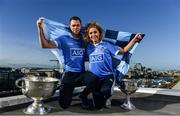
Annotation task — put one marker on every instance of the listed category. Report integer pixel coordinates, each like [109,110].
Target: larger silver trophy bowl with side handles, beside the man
[37,88]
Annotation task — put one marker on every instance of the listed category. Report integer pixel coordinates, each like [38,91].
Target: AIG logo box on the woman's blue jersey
[96,58]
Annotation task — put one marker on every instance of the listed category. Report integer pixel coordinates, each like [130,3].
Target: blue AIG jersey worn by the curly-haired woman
[100,58]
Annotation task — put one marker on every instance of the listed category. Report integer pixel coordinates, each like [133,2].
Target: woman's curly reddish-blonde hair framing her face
[92,25]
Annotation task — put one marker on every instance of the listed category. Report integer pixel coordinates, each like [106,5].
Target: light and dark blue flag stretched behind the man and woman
[53,29]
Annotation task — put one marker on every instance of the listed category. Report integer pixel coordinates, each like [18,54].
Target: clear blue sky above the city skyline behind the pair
[158,19]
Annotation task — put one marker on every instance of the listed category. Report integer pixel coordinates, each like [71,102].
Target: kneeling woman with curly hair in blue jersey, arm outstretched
[100,55]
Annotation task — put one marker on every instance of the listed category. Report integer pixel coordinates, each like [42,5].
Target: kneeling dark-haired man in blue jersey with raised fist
[73,52]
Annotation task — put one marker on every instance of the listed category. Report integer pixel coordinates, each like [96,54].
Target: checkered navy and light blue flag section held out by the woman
[121,62]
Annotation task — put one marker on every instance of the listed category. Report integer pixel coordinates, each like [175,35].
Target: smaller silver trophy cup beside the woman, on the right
[128,86]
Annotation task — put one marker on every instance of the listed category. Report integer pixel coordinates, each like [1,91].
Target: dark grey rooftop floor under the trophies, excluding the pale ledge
[146,104]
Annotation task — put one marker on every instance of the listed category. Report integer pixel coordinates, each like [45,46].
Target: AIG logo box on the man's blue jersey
[76,52]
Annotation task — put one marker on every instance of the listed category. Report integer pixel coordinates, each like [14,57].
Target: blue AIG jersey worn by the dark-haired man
[73,52]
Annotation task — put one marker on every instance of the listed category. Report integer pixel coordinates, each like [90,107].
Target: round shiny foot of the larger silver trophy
[37,110]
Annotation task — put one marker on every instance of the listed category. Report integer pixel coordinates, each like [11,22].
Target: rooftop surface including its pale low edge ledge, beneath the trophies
[148,101]
